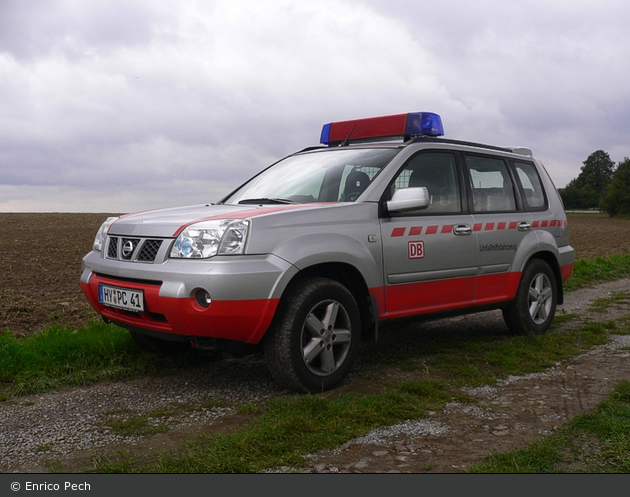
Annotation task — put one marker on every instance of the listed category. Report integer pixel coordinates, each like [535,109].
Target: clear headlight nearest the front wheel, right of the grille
[208,238]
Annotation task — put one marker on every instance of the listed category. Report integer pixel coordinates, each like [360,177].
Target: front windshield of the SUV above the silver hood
[332,175]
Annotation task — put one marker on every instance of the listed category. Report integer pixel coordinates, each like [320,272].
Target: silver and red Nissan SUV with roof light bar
[385,220]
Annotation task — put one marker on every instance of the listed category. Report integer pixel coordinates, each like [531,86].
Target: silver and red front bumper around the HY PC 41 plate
[245,291]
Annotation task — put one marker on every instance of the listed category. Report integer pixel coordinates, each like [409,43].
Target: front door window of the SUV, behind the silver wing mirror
[437,171]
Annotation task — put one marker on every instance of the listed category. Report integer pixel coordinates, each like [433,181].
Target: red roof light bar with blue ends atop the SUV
[382,128]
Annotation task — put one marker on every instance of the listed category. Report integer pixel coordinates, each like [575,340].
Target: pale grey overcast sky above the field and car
[128,105]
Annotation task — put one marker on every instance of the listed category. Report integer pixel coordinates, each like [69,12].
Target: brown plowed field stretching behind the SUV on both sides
[40,263]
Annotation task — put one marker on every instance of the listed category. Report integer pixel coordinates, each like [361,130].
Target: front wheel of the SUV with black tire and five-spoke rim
[315,336]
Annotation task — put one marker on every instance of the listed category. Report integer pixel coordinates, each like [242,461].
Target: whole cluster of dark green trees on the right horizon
[601,184]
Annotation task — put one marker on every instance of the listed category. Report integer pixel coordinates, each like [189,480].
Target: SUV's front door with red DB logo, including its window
[430,255]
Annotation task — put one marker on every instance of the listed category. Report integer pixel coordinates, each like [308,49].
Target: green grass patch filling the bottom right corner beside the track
[597,442]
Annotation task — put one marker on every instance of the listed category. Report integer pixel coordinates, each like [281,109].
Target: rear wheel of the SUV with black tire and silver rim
[534,307]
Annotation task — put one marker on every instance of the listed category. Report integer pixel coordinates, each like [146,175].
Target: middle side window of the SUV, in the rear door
[491,185]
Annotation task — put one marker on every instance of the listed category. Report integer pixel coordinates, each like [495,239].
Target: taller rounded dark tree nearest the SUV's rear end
[586,191]
